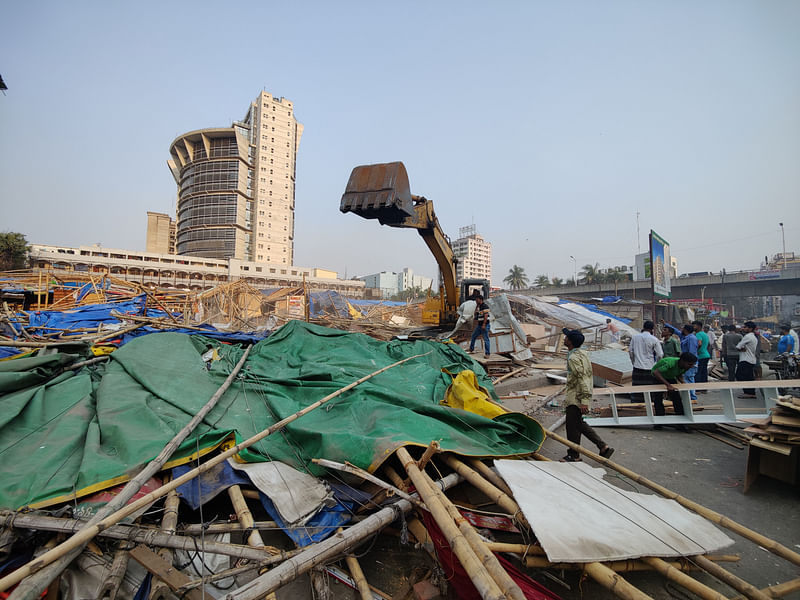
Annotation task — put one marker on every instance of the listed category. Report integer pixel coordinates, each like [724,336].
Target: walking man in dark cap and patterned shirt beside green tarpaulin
[579,395]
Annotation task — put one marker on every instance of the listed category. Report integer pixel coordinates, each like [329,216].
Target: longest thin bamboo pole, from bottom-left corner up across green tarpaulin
[92,529]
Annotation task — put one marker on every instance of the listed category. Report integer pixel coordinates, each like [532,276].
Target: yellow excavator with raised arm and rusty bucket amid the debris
[382,192]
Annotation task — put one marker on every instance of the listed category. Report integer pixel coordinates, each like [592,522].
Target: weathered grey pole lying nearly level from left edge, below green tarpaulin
[142,535]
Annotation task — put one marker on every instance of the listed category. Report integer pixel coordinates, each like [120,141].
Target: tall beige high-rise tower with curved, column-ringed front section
[236,185]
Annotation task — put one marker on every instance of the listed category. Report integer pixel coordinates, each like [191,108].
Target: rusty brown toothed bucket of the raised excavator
[379,192]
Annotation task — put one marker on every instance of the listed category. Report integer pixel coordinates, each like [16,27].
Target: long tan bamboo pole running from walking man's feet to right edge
[713,516]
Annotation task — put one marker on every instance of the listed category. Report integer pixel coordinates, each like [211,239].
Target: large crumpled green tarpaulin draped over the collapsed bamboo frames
[76,432]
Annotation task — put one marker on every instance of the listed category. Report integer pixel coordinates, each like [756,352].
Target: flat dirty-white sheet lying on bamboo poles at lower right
[579,517]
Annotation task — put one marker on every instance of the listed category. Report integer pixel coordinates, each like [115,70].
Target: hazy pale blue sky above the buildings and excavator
[557,128]
